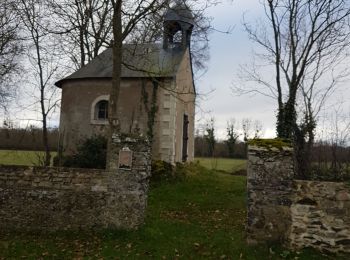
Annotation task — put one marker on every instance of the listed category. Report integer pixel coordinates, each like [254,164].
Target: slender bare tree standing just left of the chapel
[42,58]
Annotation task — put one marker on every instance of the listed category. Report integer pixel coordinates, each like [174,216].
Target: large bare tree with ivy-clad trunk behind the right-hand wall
[305,42]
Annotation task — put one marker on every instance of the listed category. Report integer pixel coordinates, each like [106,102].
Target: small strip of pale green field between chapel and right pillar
[223,164]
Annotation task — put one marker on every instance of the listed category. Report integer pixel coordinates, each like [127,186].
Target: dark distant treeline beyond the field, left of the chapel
[27,139]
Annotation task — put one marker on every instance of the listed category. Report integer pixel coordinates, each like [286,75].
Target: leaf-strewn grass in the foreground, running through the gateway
[200,216]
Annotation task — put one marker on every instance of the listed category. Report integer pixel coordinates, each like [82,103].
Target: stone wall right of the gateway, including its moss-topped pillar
[297,213]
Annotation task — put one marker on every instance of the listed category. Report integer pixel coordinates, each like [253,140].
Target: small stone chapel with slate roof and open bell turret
[155,77]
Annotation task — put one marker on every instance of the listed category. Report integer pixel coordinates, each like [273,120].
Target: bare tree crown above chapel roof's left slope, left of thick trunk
[85,27]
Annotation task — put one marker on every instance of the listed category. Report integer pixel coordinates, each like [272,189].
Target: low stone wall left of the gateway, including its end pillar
[48,199]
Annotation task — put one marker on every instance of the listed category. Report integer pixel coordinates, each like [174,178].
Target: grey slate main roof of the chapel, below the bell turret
[139,61]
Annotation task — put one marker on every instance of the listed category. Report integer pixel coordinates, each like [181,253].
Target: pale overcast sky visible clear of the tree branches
[227,52]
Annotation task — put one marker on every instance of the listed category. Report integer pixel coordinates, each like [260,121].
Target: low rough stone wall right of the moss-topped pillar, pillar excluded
[320,216]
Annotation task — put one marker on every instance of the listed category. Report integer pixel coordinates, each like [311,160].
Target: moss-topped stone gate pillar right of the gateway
[269,185]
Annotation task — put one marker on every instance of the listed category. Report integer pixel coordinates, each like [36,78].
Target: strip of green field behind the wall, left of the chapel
[12,157]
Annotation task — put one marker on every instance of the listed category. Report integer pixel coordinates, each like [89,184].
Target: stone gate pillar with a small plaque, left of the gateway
[129,171]
